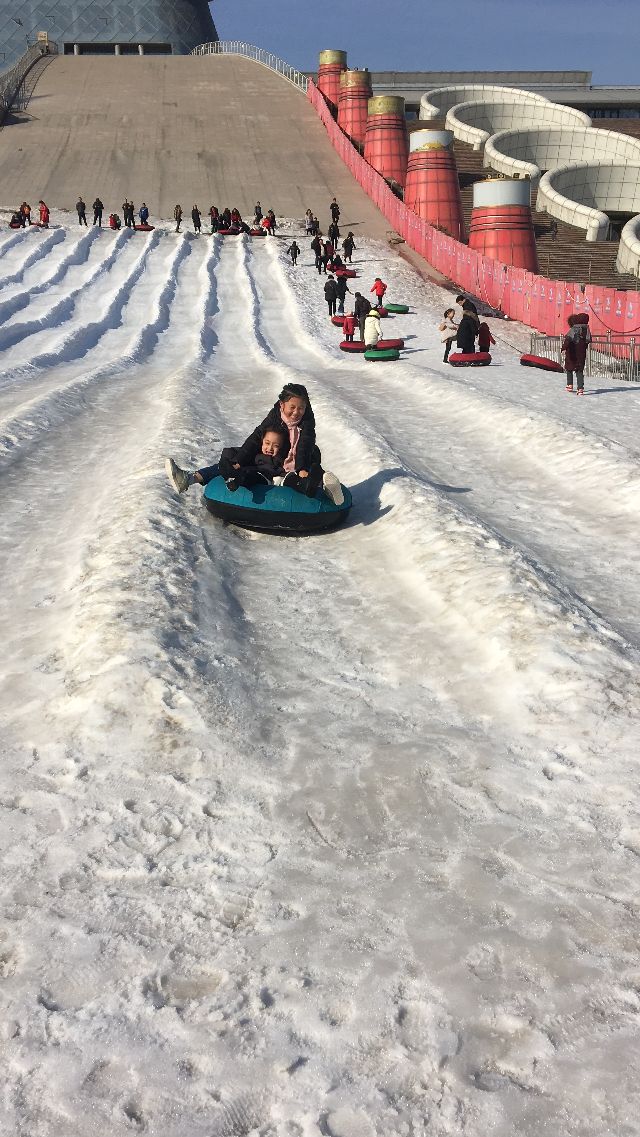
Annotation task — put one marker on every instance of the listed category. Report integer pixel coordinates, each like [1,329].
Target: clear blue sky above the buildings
[438,36]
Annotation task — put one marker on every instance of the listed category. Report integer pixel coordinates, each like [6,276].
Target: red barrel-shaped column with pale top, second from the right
[433,190]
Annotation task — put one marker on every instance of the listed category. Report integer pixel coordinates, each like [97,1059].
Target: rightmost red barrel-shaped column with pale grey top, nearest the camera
[502,227]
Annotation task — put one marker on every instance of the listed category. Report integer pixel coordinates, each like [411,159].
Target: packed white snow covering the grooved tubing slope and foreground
[328,836]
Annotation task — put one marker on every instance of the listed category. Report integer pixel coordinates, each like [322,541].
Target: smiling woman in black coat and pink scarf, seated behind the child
[303,470]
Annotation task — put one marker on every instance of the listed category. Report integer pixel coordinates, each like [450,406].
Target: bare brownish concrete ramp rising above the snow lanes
[218,130]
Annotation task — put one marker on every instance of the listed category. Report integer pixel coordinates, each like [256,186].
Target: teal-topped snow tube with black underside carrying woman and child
[276,509]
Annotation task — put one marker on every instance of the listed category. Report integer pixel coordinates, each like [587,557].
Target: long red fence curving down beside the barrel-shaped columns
[542,304]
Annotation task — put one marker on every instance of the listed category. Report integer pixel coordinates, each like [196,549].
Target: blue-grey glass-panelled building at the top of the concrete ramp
[105,27]
